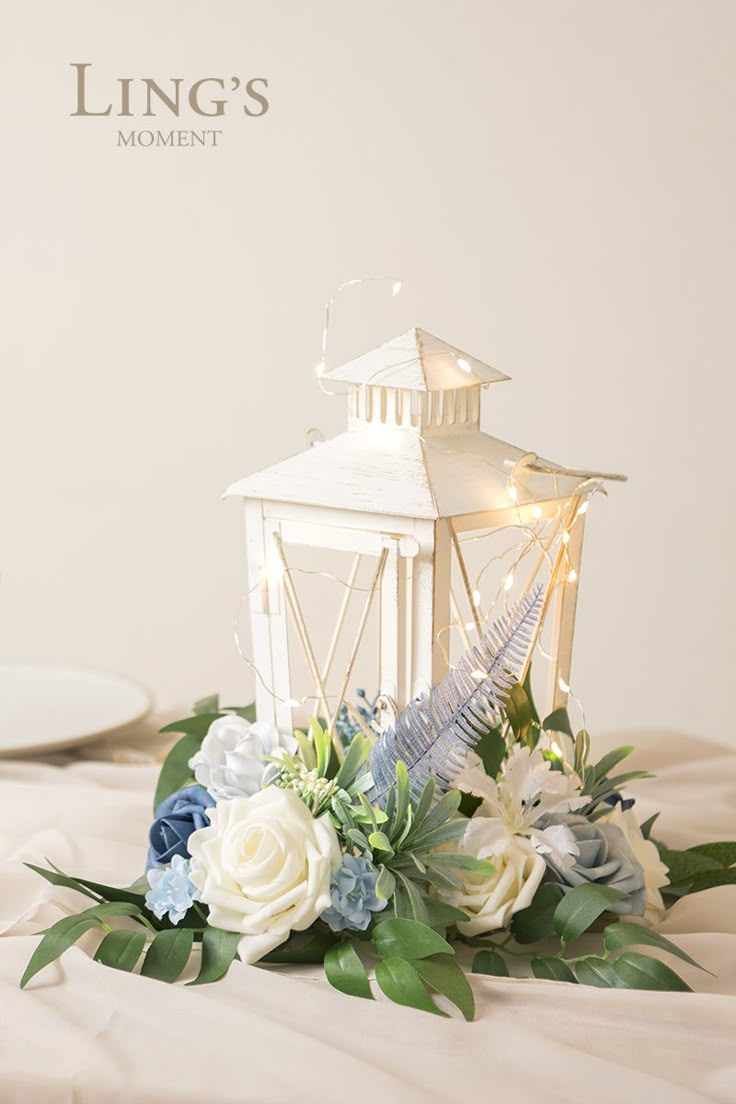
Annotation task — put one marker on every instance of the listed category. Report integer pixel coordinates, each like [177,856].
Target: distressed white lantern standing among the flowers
[413,493]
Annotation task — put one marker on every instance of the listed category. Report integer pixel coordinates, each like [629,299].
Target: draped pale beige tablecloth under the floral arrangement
[82,1033]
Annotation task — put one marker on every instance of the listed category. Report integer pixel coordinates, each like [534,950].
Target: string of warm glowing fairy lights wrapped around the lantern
[550,536]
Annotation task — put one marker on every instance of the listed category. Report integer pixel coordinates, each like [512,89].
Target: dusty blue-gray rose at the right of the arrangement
[605,858]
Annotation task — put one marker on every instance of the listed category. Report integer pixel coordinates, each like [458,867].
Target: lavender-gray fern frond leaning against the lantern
[436,731]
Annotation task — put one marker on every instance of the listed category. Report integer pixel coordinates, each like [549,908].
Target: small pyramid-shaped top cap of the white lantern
[417,362]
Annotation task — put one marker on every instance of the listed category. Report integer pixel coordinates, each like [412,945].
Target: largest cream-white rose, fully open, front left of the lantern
[264,868]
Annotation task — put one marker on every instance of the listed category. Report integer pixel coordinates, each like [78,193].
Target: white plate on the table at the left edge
[46,708]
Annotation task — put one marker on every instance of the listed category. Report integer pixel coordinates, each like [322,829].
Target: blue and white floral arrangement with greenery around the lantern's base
[468,832]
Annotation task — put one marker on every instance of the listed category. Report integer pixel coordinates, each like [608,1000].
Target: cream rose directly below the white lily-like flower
[490,900]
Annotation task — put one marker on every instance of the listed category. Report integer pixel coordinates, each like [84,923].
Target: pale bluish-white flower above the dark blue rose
[230,763]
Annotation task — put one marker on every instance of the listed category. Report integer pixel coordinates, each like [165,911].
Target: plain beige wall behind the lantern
[554,182]
